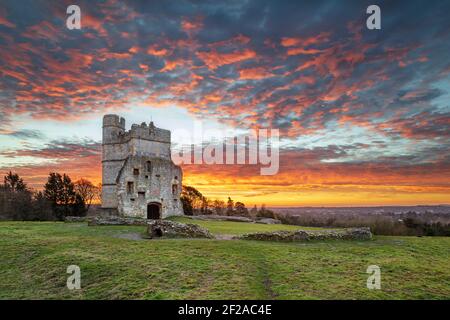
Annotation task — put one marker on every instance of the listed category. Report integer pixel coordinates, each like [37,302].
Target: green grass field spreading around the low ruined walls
[114,265]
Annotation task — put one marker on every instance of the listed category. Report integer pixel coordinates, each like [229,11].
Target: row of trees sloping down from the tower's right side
[195,203]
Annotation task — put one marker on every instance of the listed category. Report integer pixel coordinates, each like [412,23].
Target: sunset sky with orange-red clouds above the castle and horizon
[364,115]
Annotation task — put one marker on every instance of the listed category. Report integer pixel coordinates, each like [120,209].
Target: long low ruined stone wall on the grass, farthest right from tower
[308,235]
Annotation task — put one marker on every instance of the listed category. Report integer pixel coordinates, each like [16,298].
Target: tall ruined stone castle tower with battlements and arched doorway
[138,176]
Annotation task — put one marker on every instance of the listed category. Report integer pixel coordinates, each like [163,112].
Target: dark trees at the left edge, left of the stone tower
[60,198]
